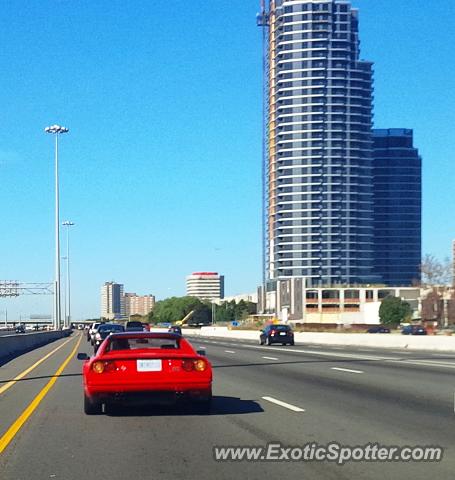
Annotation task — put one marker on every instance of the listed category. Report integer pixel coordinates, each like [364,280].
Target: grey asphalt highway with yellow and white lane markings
[291,395]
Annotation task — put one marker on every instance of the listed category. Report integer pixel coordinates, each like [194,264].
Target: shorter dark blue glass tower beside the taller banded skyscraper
[397,178]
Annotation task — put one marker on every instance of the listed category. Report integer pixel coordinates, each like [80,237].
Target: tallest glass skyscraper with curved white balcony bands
[318,189]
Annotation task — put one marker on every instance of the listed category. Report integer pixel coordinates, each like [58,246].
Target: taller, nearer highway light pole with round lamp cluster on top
[57,130]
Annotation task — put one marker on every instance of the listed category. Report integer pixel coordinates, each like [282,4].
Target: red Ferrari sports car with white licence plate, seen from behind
[145,367]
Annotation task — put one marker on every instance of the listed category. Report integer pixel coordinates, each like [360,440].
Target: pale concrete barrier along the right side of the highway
[379,340]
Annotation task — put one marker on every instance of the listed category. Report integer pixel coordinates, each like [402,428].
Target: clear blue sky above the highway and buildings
[161,168]
